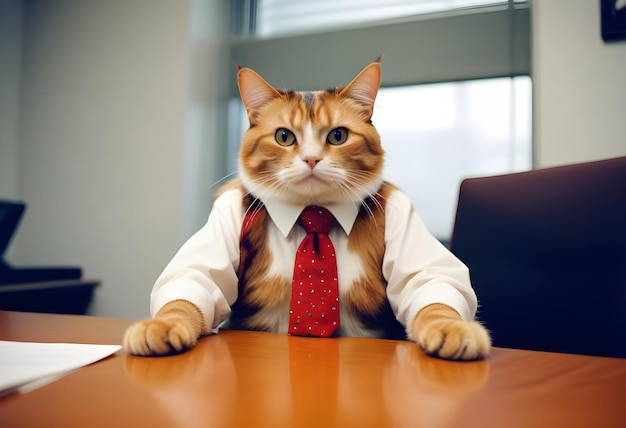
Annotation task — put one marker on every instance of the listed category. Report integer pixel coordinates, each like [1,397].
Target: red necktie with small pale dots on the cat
[314,307]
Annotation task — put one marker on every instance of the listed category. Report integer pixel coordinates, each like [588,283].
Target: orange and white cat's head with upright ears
[311,147]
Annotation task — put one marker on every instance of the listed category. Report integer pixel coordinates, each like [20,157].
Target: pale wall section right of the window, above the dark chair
[579,84]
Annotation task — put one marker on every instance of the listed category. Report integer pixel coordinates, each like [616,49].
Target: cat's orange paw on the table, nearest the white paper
[160,337]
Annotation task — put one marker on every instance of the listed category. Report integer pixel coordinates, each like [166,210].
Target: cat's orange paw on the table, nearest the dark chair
[441,333]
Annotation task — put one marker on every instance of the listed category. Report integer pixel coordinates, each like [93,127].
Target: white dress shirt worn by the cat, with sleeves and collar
[418,269]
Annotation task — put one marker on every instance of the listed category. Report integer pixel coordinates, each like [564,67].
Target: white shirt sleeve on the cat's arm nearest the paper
[204,270]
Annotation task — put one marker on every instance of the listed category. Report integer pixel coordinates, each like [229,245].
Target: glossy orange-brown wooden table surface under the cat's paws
[250,379]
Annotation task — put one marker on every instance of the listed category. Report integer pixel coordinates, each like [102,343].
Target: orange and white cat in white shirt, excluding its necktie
[313,148]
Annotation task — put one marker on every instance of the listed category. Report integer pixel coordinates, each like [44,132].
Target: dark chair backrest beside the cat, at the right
[547,256]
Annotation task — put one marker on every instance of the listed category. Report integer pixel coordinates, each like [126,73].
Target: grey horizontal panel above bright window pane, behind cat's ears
[471,43]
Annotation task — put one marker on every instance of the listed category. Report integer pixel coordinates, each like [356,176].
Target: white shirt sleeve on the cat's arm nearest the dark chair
[419,270]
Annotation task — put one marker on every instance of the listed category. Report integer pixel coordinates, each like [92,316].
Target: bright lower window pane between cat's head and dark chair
[436,135]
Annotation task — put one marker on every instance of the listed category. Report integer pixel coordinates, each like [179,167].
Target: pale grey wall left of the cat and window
[110,91]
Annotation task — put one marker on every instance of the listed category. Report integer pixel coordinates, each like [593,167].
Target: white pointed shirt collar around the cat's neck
[285,215]
